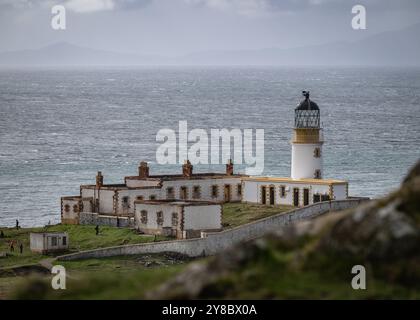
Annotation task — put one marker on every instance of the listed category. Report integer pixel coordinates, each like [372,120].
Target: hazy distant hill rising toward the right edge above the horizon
[397,48]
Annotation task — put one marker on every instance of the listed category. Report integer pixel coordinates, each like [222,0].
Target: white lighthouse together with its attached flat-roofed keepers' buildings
[155,201]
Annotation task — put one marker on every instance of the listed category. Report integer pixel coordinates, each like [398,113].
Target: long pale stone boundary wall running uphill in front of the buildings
[214,242]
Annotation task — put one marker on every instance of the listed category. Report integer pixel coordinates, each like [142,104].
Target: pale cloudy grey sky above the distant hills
[178,27]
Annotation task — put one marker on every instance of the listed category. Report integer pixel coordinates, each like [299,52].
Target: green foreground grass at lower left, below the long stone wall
[107,278]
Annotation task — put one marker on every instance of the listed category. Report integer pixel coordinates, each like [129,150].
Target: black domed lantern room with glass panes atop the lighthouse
[307,114]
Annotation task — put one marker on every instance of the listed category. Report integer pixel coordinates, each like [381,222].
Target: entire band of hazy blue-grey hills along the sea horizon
[393,48]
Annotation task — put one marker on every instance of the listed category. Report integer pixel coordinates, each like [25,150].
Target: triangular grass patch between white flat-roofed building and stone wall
[236,214]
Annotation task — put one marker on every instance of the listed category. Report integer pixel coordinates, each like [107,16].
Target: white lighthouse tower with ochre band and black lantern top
[307,141]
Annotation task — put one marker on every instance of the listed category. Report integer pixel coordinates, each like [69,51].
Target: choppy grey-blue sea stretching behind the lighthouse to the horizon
[58,127]
